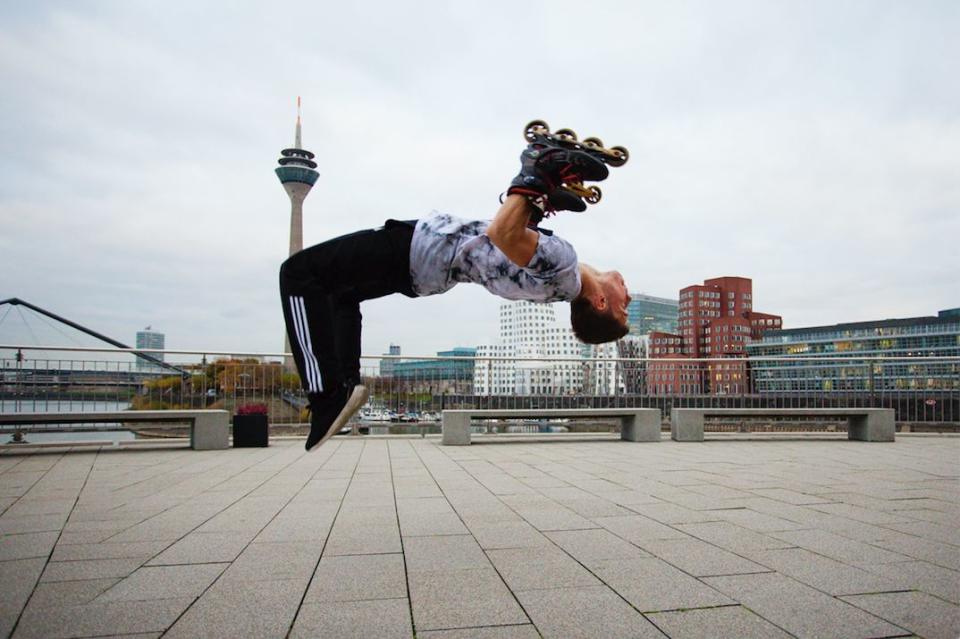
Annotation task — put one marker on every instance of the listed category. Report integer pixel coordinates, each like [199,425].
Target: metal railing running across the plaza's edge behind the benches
[410,391]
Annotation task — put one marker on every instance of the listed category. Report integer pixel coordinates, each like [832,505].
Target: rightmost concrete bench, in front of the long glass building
[864,424]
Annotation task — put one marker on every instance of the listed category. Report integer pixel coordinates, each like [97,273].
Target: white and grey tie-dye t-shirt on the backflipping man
[446,250]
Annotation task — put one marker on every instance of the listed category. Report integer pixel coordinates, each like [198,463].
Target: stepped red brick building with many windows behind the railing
[716,321]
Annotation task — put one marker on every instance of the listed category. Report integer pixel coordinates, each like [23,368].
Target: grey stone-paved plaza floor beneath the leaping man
[510,537]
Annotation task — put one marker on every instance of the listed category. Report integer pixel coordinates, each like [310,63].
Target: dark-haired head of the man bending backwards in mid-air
[599,314]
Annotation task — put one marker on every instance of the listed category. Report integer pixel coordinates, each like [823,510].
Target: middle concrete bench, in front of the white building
[637,424]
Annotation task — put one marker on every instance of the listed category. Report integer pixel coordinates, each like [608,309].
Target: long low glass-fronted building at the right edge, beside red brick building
[844,357]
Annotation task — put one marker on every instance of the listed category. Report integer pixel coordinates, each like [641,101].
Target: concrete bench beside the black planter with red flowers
[209,429]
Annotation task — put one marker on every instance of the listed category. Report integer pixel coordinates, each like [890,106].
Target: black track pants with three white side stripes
[321,288]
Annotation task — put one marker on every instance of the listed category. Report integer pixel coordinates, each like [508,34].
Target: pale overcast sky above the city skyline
[811,146]
